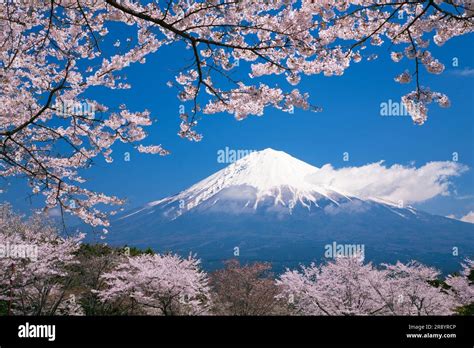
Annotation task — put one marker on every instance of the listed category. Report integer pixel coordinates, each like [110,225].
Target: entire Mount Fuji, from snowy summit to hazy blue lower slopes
[266,207]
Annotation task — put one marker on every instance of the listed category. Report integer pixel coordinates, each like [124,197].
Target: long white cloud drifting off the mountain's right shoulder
[396,183]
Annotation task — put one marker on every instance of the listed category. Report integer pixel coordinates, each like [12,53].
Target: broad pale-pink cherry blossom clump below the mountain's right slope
[347,286]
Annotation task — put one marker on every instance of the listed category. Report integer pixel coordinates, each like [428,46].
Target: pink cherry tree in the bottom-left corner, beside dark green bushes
[35,263]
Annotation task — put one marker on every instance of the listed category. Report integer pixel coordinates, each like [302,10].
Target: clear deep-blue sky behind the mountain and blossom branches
[350,122]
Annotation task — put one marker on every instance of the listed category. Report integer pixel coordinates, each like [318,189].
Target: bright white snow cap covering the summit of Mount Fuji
[270,173]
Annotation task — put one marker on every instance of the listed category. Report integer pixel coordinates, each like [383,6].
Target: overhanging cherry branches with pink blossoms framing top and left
[56,54]
